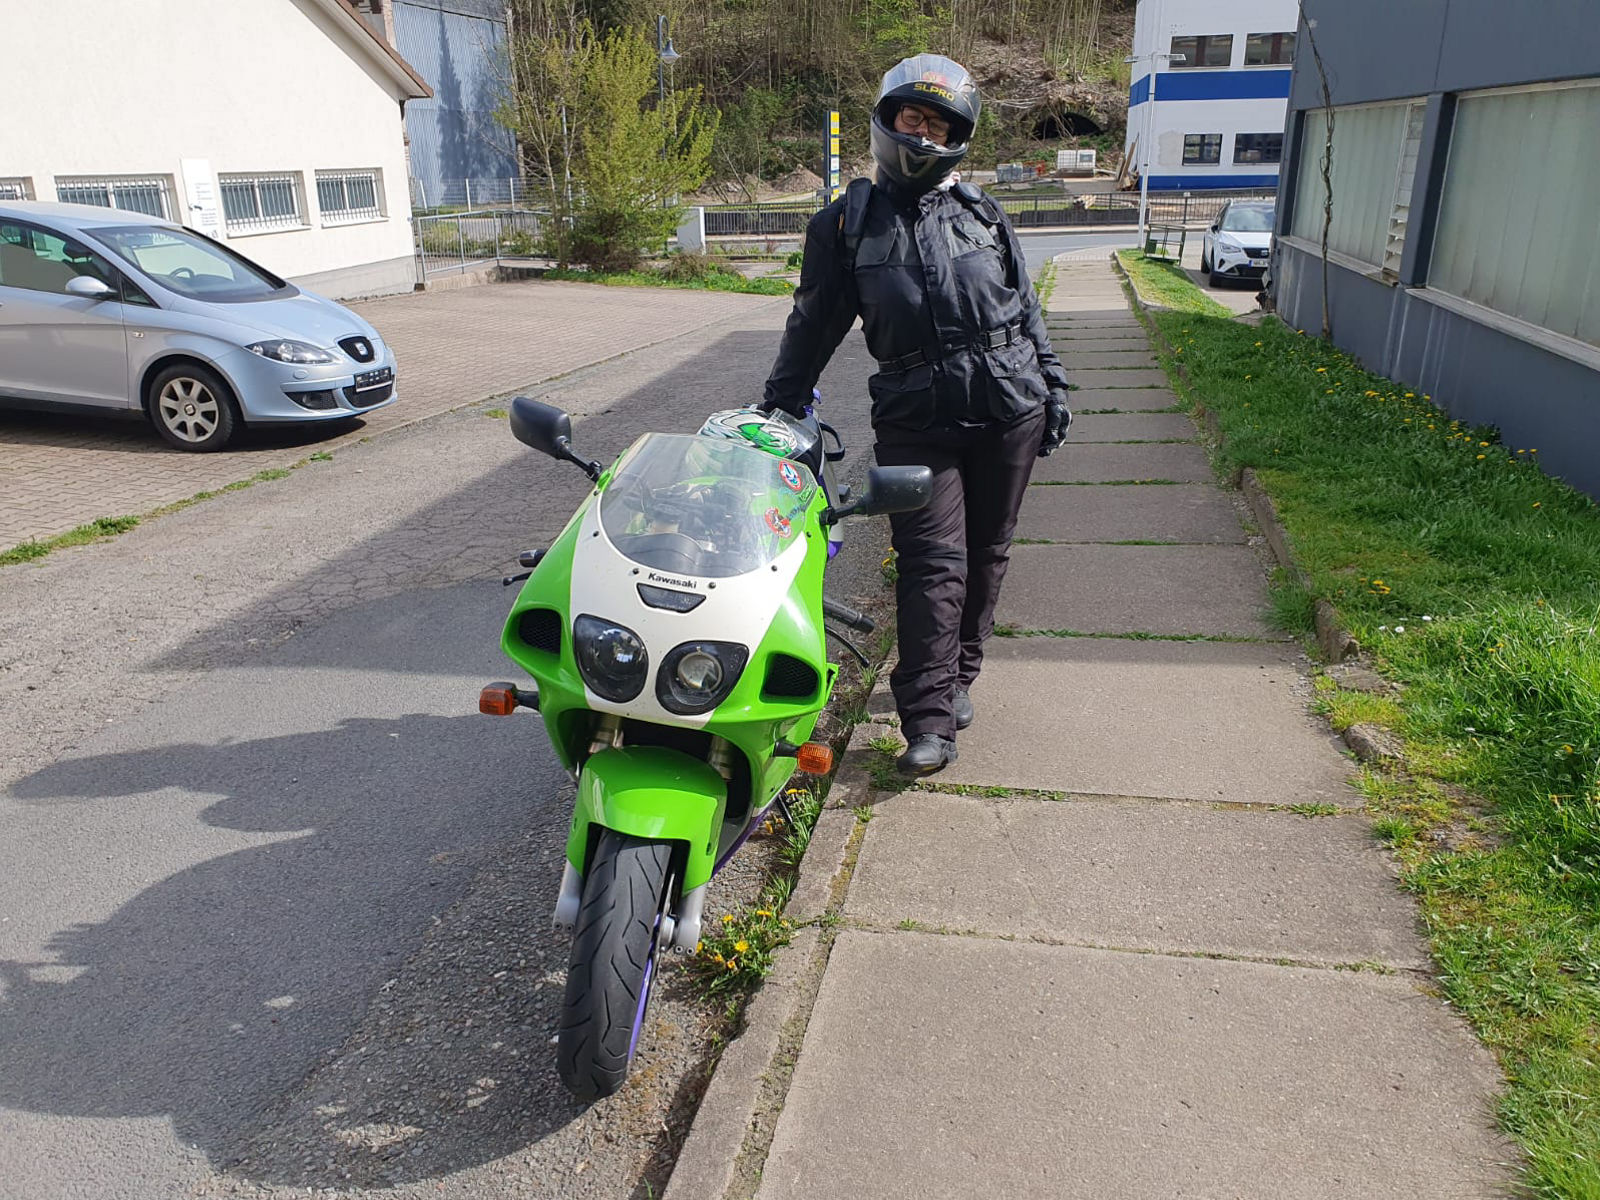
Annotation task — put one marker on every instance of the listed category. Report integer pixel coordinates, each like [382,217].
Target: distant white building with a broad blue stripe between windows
[1217,118]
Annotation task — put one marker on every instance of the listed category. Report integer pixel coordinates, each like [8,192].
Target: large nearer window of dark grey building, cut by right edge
[1530,252]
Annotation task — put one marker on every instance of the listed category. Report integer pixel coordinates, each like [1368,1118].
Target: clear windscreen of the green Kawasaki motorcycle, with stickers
[705,506]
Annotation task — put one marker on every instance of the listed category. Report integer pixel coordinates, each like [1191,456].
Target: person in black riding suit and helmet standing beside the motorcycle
[967,382]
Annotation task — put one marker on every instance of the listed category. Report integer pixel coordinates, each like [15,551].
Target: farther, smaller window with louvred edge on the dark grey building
[1369,156]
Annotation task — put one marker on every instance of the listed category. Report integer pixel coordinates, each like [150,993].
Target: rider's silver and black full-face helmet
[935,82]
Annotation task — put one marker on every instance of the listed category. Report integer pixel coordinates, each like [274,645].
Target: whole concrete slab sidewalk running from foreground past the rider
[1103,956]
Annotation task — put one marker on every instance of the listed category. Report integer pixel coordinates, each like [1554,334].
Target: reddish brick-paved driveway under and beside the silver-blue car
[454,346]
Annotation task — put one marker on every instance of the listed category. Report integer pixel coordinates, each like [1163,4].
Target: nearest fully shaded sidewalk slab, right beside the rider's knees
[1137,590]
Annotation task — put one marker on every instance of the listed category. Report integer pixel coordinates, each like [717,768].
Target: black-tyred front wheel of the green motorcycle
[628,890]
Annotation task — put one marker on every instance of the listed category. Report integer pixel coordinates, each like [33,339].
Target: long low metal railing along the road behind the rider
[1026,212]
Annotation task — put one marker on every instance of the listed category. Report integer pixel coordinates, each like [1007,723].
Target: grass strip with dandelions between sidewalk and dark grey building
[1473,580]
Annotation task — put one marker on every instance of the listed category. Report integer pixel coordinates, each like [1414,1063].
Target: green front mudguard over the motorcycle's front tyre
[654,794]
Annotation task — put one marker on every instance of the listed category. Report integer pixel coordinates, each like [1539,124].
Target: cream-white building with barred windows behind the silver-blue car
[274,126]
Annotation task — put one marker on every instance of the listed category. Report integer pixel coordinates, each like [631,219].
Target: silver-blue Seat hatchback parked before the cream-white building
[126,311]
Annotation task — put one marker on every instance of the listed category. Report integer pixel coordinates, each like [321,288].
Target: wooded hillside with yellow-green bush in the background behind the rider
[615,140]
